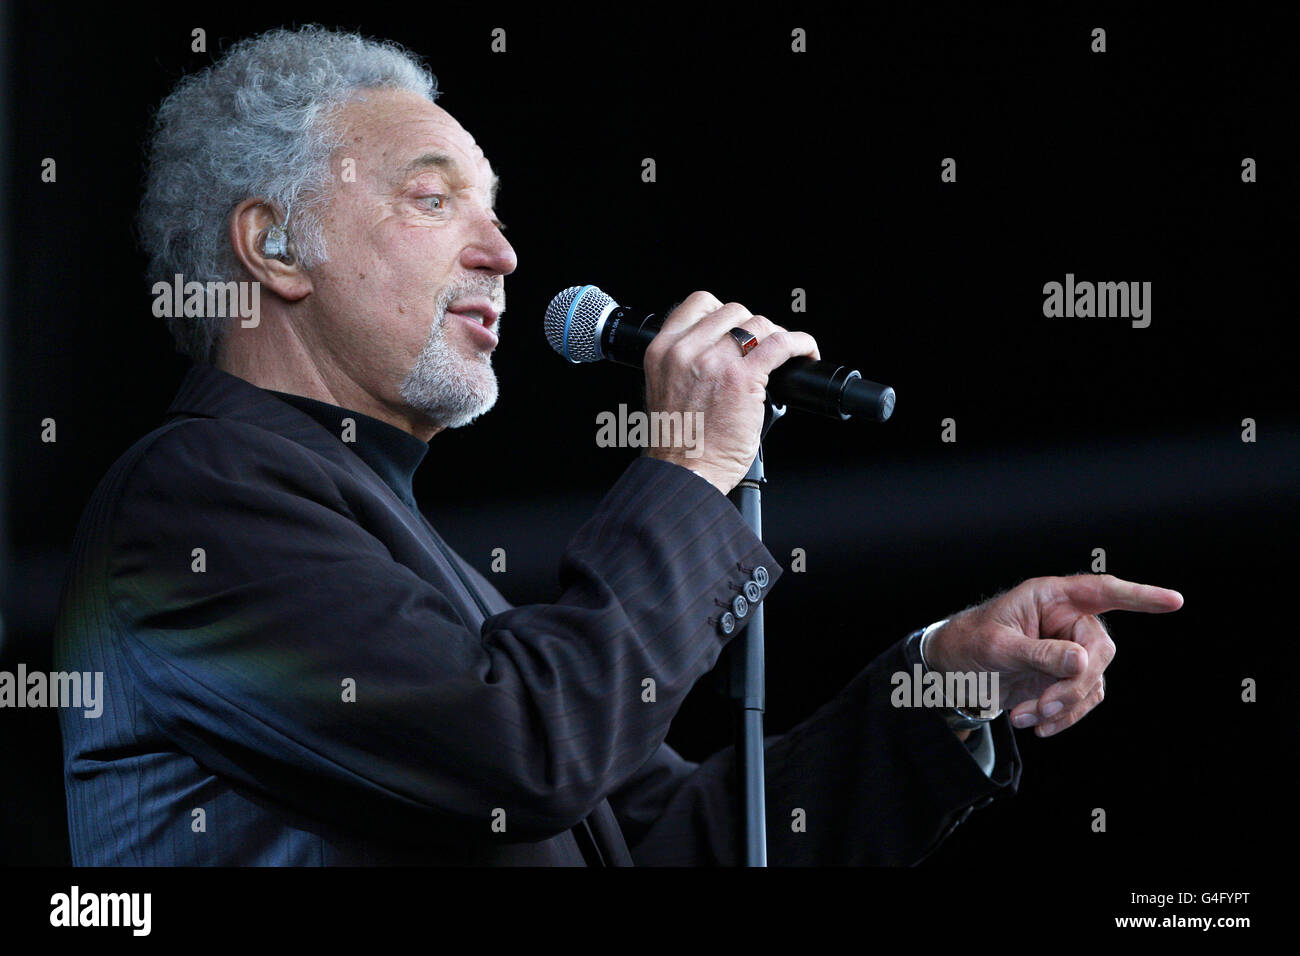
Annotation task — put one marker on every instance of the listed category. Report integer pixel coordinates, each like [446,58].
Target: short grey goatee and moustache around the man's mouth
[450,390]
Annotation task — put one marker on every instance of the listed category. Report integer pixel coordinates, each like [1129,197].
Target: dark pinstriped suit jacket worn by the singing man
[326,682]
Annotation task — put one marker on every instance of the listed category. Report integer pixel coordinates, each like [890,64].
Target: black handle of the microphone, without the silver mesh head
[822,388]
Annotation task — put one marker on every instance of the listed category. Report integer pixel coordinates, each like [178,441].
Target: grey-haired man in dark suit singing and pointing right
[298,671]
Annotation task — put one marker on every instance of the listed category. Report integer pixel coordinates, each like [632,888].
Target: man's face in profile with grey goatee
[413,244]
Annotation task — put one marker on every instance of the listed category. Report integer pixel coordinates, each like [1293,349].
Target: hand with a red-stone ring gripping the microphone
[695,366]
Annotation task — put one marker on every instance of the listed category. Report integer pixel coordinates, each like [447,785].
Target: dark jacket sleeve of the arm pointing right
[857,784]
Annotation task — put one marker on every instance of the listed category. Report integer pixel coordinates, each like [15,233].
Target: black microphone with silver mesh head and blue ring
[584,325]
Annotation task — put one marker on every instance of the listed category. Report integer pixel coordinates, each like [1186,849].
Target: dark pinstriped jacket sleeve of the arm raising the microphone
[307,665]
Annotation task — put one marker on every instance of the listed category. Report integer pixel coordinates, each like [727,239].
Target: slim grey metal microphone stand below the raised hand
[747,685]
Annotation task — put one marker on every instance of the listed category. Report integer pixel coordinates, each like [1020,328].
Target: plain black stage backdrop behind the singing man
[779,170]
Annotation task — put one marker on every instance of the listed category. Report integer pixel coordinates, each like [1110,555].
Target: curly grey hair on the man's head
[255,124]
